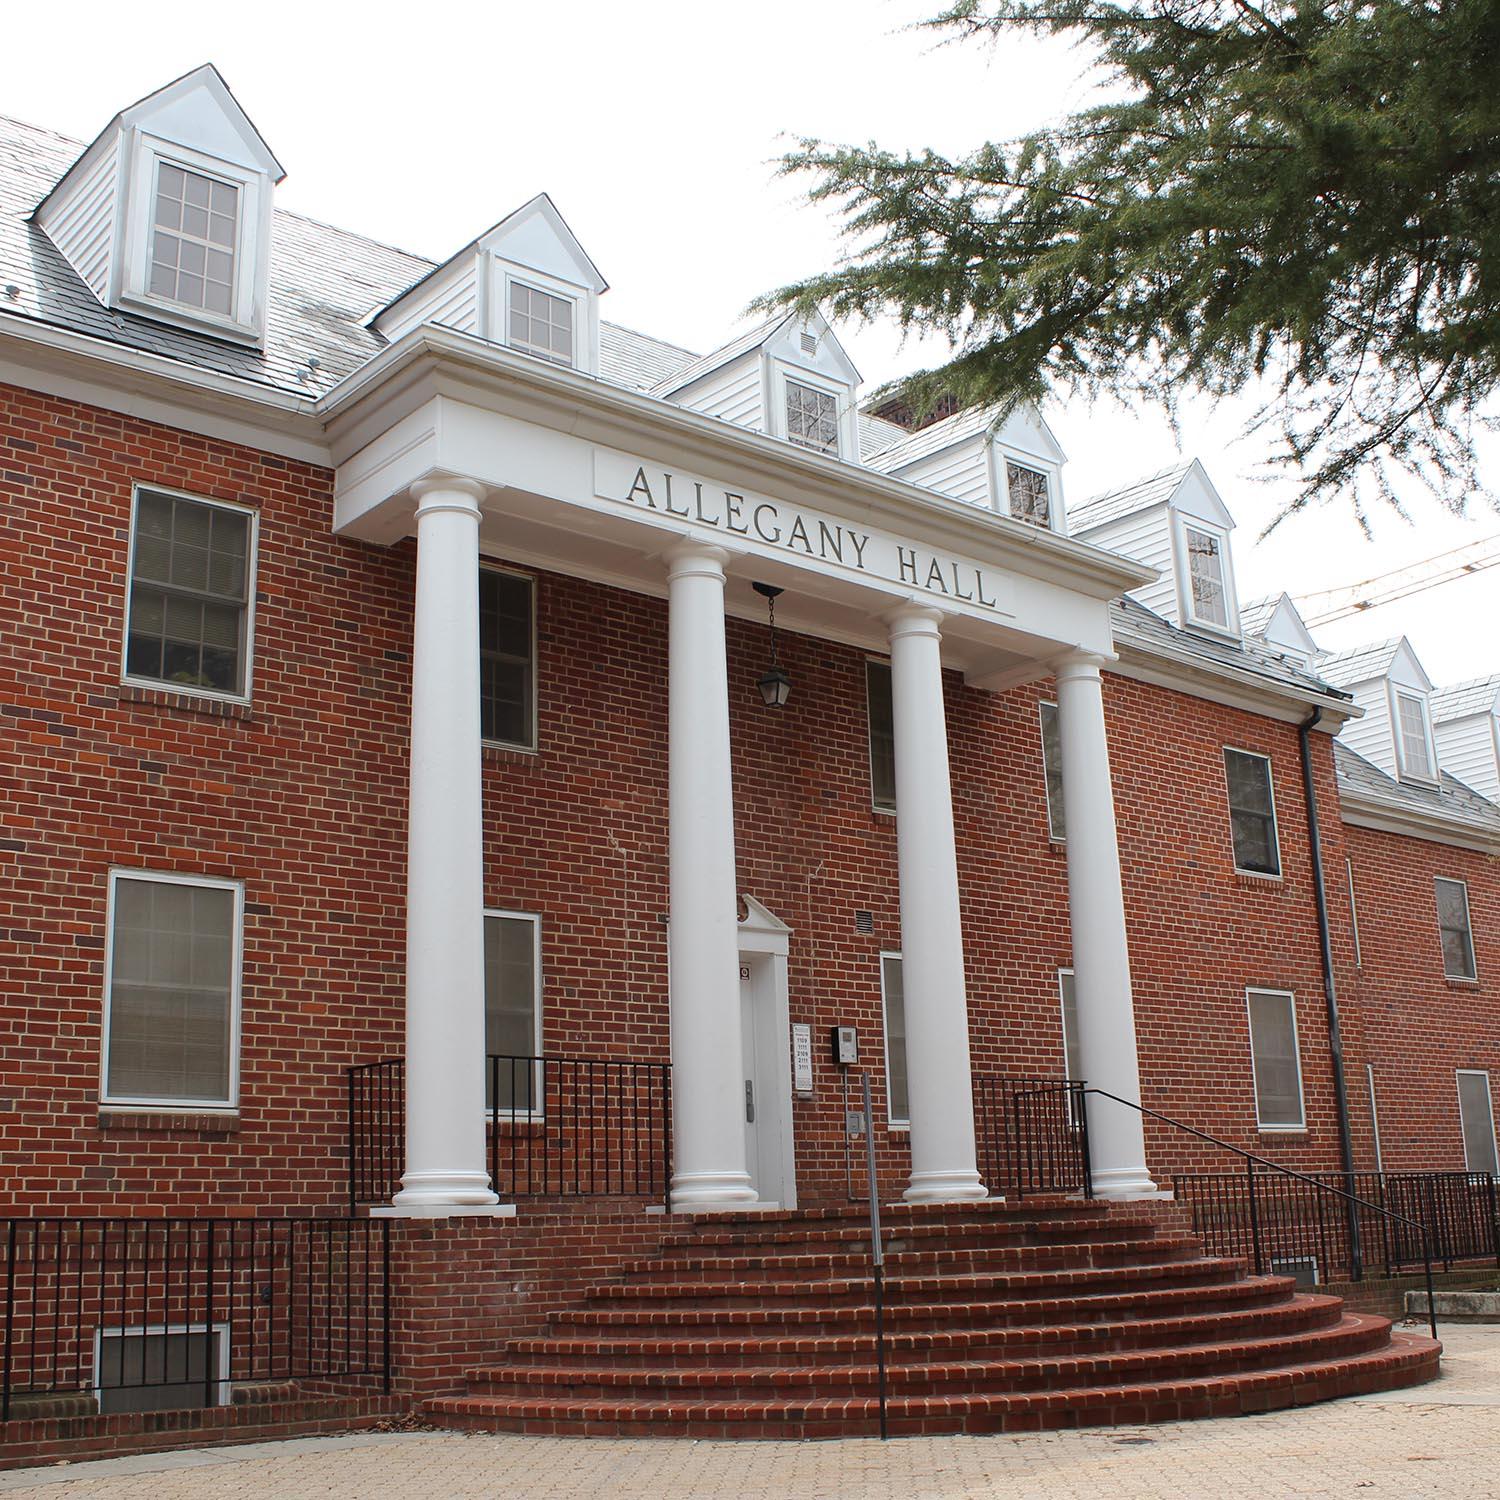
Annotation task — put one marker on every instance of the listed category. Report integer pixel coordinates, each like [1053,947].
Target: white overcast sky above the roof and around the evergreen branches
[655,127]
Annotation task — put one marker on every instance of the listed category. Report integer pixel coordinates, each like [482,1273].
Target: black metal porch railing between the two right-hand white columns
[1033,1135]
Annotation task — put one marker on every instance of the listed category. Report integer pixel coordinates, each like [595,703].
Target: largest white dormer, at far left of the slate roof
[169,212]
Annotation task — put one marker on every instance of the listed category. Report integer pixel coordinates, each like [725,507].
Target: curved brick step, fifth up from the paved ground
[1199,1268]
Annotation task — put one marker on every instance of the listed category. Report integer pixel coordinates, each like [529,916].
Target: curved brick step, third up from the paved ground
[952,1345]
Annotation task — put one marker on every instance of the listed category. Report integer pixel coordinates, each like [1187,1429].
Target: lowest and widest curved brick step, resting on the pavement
[1406,1360]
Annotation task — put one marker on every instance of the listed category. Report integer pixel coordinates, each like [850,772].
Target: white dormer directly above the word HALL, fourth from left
[1012,466]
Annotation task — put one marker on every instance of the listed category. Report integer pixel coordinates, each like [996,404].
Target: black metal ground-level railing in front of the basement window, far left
[116,1309]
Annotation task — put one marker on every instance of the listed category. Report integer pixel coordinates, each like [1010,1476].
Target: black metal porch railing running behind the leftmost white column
[557,1127]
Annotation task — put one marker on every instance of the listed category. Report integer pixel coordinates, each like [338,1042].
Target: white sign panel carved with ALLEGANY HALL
[794,529]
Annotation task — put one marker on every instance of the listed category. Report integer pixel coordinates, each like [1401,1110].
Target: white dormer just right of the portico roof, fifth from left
[1175,523]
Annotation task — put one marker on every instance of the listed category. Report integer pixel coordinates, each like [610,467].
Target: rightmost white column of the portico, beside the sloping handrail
[1100,955]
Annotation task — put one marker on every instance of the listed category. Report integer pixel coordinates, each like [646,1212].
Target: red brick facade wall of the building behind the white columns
[302,797]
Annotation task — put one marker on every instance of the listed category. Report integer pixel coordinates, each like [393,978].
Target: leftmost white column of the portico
[446,1169]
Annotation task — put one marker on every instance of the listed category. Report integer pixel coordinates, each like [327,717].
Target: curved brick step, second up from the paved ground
[1355,1333]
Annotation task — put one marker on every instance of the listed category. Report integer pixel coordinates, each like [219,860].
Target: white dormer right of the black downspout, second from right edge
[1390,685]
